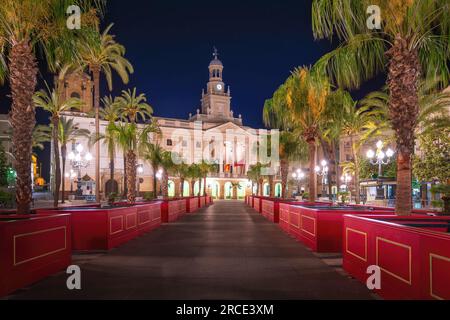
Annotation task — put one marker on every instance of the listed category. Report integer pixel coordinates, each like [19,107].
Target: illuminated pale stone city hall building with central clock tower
[213,133]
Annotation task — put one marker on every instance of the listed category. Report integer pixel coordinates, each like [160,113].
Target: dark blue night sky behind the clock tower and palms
[170,45]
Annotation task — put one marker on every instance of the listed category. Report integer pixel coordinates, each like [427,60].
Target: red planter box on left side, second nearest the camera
[106,228]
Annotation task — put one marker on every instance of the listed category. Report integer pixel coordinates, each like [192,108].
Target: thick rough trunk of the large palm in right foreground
[404,72]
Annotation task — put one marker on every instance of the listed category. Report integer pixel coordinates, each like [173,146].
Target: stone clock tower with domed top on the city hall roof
[216,102]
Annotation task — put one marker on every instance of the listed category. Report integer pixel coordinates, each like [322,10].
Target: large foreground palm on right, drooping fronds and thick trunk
[413,41]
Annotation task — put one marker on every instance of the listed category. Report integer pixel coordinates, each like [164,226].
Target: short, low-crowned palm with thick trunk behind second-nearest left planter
[133,141]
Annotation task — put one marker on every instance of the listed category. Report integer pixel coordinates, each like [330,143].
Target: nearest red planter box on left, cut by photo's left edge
[32,248]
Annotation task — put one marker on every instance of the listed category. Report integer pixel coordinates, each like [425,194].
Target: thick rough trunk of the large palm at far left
[23,71]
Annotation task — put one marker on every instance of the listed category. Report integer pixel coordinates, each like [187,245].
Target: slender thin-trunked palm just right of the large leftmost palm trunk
[51,102]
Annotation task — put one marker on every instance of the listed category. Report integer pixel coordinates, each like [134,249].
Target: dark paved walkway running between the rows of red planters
[225,251]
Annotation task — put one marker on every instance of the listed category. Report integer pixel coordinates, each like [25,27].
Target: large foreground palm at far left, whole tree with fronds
[26,27]
